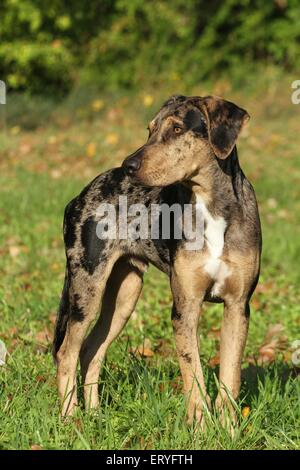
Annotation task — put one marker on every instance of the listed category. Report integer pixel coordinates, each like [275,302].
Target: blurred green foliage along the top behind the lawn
[47,46]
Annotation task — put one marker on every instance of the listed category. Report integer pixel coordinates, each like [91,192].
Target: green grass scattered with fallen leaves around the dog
[41,169]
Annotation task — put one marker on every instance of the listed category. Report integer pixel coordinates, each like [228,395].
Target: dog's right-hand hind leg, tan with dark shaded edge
[122,292]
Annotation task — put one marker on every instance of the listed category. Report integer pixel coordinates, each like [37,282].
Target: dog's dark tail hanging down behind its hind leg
[61,319]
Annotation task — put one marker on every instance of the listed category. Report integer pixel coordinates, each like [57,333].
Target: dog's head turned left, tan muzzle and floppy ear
[186,133]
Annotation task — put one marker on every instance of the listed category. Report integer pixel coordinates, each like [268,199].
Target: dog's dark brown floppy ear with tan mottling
[224,121]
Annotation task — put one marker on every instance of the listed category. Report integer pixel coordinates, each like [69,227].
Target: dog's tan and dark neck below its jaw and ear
[219,182]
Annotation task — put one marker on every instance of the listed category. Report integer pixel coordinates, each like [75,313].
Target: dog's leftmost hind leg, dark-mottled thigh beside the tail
[82,296]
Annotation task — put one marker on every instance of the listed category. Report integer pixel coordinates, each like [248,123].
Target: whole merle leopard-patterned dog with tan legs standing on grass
[190,157]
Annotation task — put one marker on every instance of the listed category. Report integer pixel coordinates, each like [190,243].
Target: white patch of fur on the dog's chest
[214,239]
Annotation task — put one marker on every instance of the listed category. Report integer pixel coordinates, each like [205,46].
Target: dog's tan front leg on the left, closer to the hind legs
[185,317]
